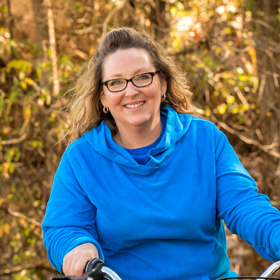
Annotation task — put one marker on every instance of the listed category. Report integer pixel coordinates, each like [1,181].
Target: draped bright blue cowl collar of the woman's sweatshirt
[177,125]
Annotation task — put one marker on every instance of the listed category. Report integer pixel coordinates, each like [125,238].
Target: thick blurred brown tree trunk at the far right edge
[268,66]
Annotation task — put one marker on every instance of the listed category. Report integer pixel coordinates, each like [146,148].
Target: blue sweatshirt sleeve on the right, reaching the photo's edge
[245,212]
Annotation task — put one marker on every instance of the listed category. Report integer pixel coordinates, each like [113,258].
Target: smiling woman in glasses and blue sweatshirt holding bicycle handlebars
[146,185]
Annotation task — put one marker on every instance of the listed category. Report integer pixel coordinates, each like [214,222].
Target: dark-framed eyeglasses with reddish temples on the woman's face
[140,80]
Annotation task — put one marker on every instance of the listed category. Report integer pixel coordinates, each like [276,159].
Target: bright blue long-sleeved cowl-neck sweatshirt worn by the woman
[161,220]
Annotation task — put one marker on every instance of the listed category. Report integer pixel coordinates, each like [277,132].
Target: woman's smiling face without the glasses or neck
[132,106]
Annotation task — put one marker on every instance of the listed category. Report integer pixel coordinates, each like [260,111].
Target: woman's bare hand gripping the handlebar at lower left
[75,261]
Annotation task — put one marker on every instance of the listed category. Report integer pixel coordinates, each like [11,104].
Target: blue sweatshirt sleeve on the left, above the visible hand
[70,216]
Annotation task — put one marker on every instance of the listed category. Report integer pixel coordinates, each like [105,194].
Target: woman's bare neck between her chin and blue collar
[138,137]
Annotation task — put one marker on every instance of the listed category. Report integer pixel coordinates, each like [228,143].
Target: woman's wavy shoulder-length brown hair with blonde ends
[86,109]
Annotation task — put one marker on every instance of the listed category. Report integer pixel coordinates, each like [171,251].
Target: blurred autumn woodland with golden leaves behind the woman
[230,53]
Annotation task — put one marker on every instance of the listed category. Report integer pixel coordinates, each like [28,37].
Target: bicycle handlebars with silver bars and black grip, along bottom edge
[96,269]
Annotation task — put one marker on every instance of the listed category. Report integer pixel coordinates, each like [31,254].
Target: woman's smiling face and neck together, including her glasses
[135,107]
